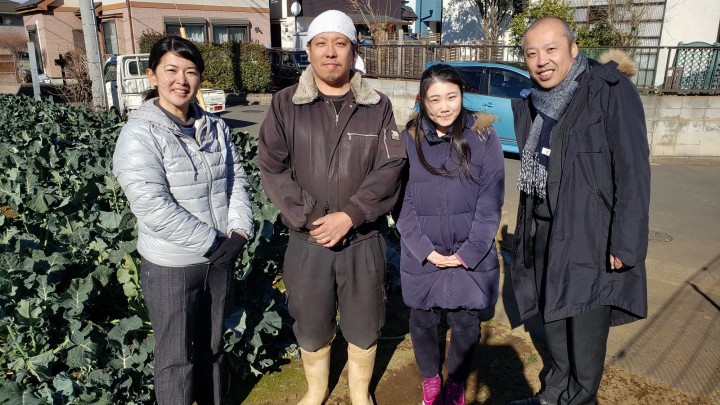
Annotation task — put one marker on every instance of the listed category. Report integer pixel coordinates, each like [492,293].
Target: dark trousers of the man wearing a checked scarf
[577,344]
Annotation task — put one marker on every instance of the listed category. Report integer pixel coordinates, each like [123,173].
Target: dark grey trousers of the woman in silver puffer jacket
[188,306]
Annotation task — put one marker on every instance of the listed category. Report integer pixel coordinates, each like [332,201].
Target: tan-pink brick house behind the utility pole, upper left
[55,25]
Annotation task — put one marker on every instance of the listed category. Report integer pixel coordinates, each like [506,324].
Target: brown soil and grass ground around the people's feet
[506,366]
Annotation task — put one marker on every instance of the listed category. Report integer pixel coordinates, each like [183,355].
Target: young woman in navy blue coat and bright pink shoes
[448,221]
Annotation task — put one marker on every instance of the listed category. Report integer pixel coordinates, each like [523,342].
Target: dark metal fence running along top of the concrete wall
[689,69]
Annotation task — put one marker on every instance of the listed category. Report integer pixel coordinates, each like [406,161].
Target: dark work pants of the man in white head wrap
[322,281]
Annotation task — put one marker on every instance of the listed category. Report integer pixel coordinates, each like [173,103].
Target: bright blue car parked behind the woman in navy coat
[490,87]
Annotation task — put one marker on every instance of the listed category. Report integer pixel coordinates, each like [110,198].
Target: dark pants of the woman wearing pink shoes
[464,335]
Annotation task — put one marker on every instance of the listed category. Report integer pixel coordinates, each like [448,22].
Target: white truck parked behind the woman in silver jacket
[126,81]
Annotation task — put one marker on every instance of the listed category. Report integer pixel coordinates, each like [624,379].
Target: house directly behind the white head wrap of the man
[289,31]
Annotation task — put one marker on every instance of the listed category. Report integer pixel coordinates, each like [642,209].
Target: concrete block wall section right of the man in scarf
[683,126]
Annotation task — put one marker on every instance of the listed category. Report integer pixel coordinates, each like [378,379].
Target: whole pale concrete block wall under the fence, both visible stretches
[678,126]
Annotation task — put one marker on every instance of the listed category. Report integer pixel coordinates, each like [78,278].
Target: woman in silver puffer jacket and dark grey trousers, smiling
[183,178]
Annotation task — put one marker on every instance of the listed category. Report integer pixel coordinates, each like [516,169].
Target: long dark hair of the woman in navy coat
[435,74]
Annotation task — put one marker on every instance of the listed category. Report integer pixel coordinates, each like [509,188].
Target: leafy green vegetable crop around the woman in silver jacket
[73,324]
